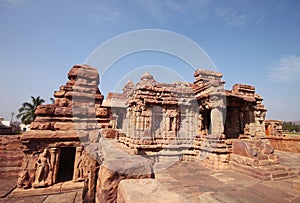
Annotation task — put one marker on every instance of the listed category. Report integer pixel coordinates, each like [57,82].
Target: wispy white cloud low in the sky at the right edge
[286,69]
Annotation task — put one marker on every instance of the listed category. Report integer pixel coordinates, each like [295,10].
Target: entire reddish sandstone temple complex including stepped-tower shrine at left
[152,124]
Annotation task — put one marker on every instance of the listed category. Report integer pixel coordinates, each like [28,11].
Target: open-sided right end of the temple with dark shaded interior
[245,112]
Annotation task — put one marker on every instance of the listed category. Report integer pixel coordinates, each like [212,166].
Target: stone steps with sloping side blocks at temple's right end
[257,159]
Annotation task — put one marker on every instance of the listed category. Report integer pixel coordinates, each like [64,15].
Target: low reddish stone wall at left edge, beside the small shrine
[11,155]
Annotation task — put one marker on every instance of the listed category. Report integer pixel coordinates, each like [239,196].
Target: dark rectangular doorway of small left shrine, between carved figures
[66,164]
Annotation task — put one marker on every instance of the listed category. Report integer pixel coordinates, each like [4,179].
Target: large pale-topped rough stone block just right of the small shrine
[117,166]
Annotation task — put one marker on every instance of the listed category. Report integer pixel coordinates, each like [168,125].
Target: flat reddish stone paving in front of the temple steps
[199,184]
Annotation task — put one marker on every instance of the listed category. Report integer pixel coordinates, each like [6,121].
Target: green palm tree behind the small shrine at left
[26,112]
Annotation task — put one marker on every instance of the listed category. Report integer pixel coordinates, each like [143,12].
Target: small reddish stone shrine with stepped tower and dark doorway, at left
[57,146]
